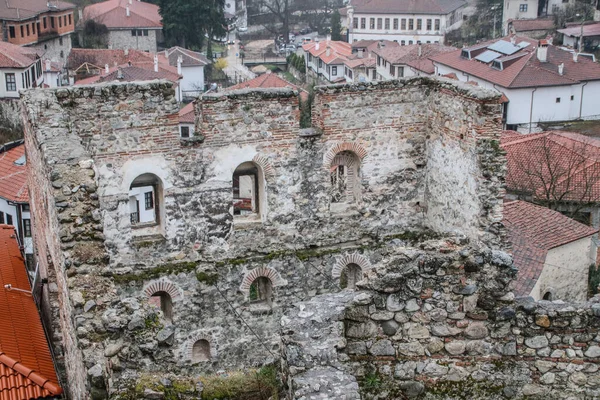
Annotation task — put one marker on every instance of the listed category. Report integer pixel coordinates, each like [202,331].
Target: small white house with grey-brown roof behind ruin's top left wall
[190,65]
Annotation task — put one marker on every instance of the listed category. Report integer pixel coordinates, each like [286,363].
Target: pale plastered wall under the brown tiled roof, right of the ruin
[565,272]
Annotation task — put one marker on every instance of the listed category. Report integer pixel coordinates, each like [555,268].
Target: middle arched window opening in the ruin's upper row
[248,191]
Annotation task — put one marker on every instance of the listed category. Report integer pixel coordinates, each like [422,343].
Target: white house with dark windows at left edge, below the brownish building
[20,68]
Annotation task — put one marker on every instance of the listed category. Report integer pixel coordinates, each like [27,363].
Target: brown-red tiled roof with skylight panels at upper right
[512,62]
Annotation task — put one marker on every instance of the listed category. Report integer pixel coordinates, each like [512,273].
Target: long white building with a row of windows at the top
[406,22]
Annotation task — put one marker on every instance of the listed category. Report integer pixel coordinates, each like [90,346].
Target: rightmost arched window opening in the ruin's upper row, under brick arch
[344,173]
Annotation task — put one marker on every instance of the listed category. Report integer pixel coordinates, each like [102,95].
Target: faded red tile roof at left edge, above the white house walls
[13,177]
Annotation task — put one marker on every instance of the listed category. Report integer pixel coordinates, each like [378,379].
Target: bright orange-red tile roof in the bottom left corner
[26,366]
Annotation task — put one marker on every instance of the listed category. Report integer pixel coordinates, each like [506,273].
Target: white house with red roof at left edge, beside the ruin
[14,196]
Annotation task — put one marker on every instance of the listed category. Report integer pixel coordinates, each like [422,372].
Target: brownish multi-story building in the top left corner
[41,23]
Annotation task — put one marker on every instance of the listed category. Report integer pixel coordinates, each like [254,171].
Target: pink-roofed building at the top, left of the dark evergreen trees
[132,24]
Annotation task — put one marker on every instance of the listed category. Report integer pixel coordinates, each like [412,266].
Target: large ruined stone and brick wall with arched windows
[87,144]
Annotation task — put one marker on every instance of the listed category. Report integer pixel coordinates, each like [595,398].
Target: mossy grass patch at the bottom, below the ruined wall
[259,384]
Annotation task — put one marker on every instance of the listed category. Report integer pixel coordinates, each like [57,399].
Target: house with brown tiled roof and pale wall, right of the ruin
[552,252]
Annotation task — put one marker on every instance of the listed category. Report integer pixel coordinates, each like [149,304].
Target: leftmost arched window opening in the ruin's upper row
[145,200]
